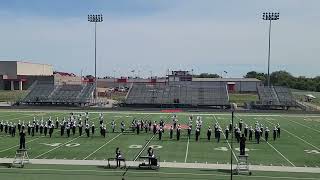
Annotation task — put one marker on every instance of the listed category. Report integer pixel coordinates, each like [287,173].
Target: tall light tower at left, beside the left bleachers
[95,18]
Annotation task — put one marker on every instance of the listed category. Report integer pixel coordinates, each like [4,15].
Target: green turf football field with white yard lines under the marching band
[299,144]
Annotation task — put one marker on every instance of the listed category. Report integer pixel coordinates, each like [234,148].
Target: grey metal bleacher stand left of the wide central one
[44,92]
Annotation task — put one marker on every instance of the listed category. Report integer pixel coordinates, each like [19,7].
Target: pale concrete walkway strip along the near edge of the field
[169,165]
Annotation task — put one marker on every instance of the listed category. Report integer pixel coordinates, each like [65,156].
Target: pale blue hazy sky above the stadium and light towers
[156,35]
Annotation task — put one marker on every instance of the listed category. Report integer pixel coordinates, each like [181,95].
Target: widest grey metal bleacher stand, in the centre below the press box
[182,94]
